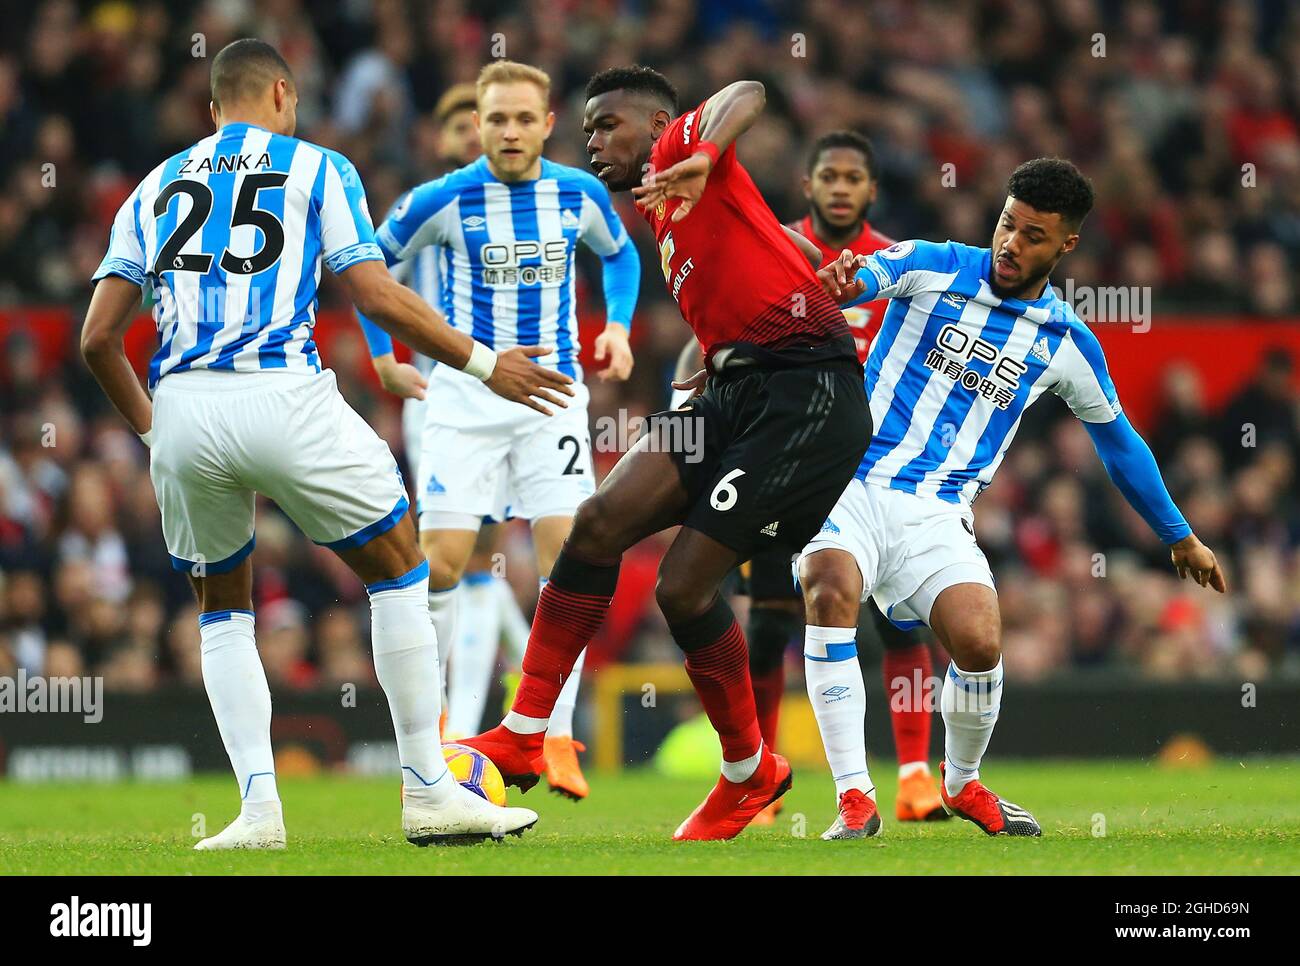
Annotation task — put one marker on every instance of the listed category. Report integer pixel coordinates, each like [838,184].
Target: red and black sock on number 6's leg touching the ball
[570,612]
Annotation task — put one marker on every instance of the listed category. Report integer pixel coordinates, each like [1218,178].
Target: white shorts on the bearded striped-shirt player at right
[908,548]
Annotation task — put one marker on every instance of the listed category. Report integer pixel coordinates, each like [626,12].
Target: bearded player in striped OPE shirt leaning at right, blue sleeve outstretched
[972,337]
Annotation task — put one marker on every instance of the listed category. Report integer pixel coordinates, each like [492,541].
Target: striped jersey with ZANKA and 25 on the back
[232,236]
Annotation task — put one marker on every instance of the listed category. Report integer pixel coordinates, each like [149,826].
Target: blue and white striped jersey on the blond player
[501,255]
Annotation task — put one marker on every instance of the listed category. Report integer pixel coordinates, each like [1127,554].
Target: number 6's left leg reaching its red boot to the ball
[642,496]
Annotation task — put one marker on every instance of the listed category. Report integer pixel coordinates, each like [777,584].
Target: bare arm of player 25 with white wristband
[405,315]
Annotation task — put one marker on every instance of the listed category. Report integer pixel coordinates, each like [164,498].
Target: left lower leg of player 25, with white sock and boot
[241,703]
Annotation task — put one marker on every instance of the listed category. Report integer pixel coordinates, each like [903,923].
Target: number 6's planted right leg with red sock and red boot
[718,664]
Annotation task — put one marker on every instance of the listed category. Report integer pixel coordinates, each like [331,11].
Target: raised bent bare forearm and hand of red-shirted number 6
[725,118]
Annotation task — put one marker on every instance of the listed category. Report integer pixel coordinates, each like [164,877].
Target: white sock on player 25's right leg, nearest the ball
[406,662]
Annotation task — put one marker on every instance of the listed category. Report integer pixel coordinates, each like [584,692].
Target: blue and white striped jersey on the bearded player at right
[954,369]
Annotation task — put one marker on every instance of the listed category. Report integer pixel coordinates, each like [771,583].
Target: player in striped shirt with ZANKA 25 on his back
[232,235]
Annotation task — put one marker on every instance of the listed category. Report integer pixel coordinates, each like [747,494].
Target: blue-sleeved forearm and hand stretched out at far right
[1133,469]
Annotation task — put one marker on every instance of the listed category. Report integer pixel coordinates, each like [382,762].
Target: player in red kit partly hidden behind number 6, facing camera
[840,188]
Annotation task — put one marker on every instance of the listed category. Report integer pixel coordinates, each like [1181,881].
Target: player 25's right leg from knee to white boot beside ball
[435,808]
